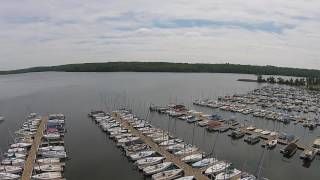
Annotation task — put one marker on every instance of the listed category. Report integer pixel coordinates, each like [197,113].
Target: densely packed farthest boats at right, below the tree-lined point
[286,99]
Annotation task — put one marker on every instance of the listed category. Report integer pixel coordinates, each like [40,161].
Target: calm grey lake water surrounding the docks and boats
[94,156]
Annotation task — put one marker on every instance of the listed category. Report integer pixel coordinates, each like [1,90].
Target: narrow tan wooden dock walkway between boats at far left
[29,164]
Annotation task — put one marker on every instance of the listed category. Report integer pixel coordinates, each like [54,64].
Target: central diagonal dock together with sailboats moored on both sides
[125,123]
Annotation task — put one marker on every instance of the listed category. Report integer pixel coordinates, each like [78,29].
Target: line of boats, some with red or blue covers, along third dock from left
[215,123]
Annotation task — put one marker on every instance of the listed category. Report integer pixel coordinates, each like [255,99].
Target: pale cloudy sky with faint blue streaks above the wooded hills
[259,32]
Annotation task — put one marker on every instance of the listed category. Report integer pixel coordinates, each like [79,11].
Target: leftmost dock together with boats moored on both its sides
[27,157]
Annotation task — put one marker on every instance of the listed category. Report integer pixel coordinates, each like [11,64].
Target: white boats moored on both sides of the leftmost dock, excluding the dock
[47,164]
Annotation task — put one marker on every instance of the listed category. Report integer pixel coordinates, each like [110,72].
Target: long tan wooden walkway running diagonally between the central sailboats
[188,170]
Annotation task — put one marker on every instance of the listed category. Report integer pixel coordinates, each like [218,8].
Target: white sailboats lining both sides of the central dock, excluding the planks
[148,160]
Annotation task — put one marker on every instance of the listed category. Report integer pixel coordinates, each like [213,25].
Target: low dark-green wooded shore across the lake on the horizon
[172,67]
